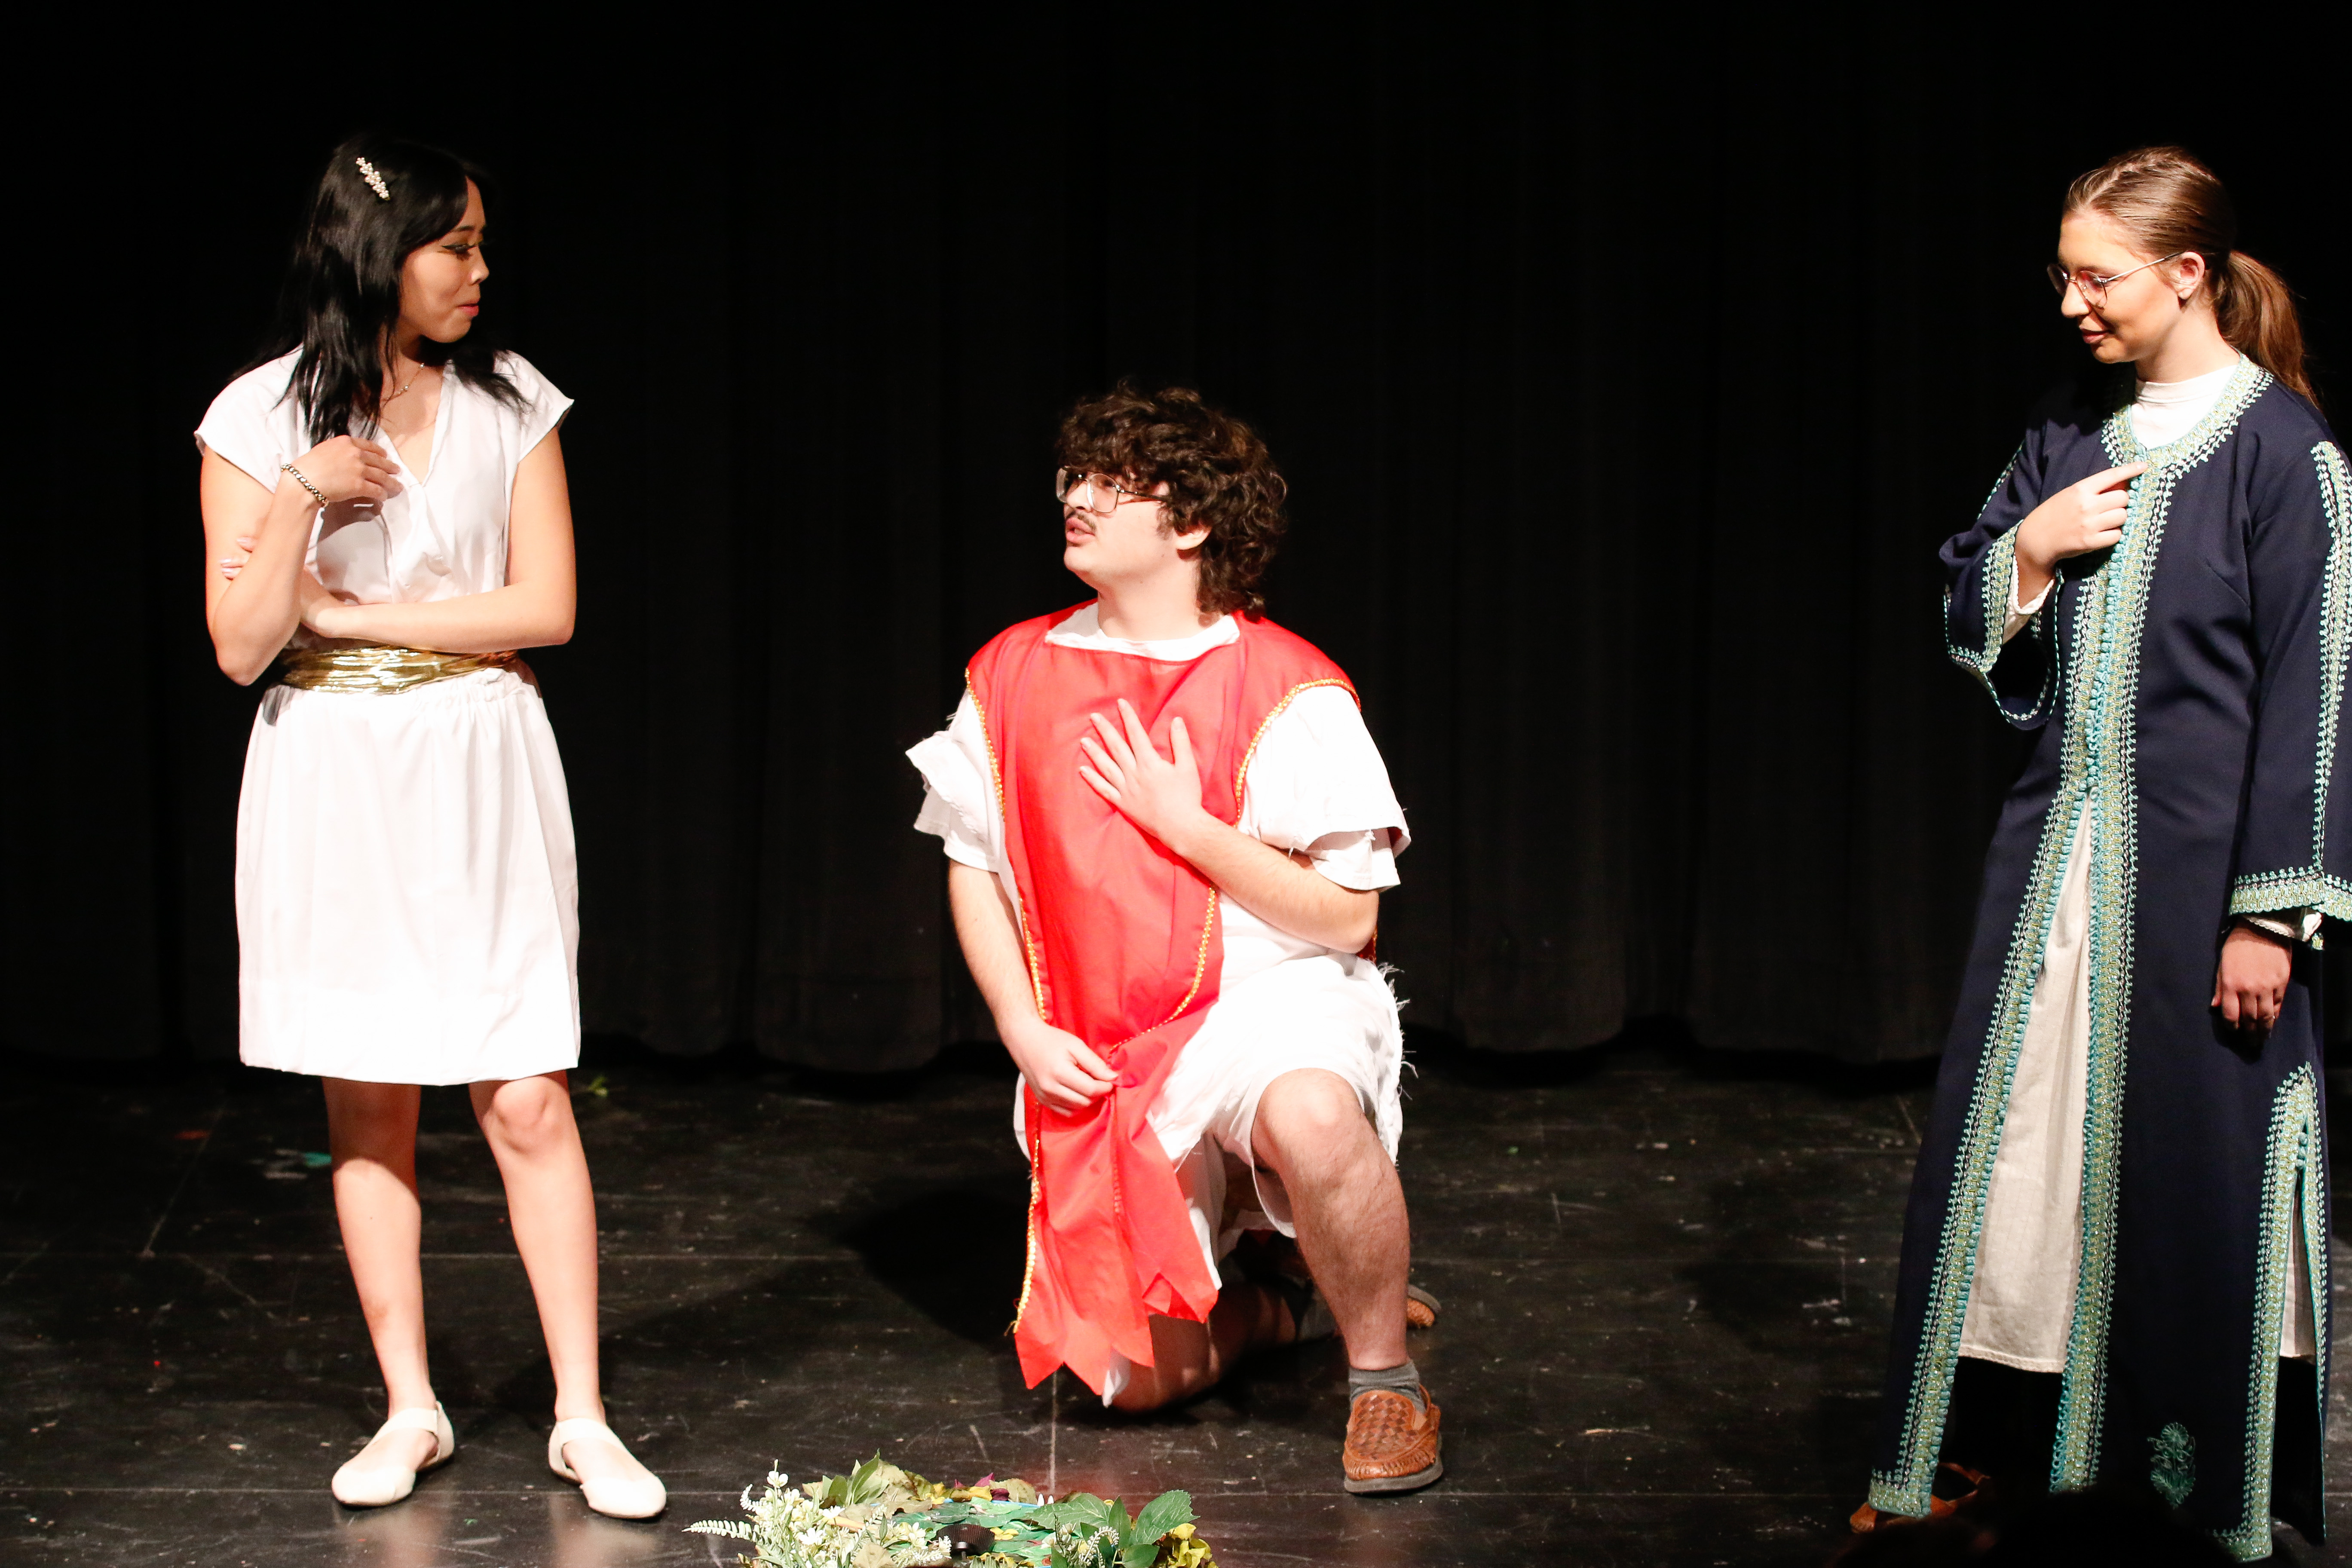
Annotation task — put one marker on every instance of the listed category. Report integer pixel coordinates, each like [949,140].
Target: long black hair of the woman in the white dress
[380,201]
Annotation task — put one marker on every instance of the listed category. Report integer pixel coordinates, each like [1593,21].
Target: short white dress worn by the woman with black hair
[406,876]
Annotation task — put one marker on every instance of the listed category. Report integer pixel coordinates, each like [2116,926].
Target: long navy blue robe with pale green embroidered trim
[2186,692]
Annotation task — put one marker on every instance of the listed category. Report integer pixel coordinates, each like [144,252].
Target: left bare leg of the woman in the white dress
[373,1139]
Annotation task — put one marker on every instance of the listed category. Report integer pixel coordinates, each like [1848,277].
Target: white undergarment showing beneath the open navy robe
[2022,1301]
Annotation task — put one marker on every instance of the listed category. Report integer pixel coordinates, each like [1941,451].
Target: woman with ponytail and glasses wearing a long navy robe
[2118,1231]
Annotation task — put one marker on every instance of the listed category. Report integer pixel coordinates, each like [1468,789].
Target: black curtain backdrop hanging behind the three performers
[1626,387]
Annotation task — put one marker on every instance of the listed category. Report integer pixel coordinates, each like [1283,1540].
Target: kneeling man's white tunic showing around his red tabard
[1316,786]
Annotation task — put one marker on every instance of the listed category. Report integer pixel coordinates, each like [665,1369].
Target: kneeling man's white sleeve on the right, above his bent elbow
[1318,775]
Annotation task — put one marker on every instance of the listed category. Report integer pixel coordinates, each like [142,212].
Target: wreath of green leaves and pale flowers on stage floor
[883,1517]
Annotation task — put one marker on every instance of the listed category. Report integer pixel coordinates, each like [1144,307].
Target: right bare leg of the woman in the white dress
[554,1217]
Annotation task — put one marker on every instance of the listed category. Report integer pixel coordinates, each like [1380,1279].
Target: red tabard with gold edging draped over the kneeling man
[1125,953]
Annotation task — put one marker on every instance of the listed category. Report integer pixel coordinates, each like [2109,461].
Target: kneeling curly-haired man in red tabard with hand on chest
[1168,836]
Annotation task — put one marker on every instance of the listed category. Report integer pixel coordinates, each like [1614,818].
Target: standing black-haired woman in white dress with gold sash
[387,521]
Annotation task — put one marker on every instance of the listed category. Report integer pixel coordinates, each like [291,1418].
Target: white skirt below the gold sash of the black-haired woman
[408,894]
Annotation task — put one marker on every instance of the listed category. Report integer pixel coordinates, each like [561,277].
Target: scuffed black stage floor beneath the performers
[1664,1278]
